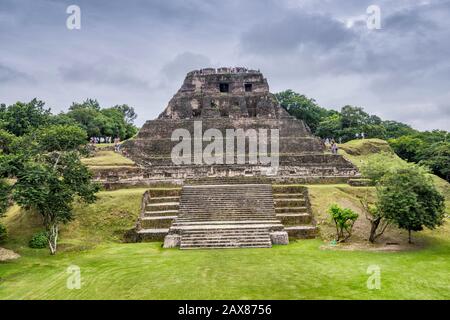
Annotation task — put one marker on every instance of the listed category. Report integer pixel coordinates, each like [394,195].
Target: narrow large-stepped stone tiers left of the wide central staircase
[159,209]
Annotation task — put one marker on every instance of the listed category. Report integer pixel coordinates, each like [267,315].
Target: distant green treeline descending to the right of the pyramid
[430,148]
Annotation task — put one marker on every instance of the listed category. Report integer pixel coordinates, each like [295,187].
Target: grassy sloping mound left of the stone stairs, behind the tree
[106,220]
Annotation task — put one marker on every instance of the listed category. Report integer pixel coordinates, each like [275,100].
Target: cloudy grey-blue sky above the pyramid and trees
[138,52]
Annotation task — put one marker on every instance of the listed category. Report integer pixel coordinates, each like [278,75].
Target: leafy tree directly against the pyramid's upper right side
[302,108]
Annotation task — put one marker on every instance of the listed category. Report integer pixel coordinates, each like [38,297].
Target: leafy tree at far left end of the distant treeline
[20,118]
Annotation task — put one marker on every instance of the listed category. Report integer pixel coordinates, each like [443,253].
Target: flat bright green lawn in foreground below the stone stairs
[298,271]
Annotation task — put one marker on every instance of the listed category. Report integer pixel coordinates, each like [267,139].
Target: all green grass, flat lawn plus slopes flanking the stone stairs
[302,270]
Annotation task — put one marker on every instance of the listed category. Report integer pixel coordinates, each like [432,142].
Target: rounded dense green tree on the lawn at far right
[408,198]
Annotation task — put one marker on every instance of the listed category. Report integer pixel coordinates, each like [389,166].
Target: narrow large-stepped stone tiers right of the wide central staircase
[293,209]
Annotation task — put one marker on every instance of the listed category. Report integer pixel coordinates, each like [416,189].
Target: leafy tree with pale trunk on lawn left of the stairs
[49,185]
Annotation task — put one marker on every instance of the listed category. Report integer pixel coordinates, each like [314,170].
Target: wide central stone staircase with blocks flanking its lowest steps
[226,216]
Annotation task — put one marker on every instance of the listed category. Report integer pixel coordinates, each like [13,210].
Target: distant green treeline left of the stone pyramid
[22,118]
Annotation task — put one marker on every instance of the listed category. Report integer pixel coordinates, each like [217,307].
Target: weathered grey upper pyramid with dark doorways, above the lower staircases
[231,99]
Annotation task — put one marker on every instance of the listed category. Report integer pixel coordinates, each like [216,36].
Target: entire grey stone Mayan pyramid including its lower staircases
[226,205]
